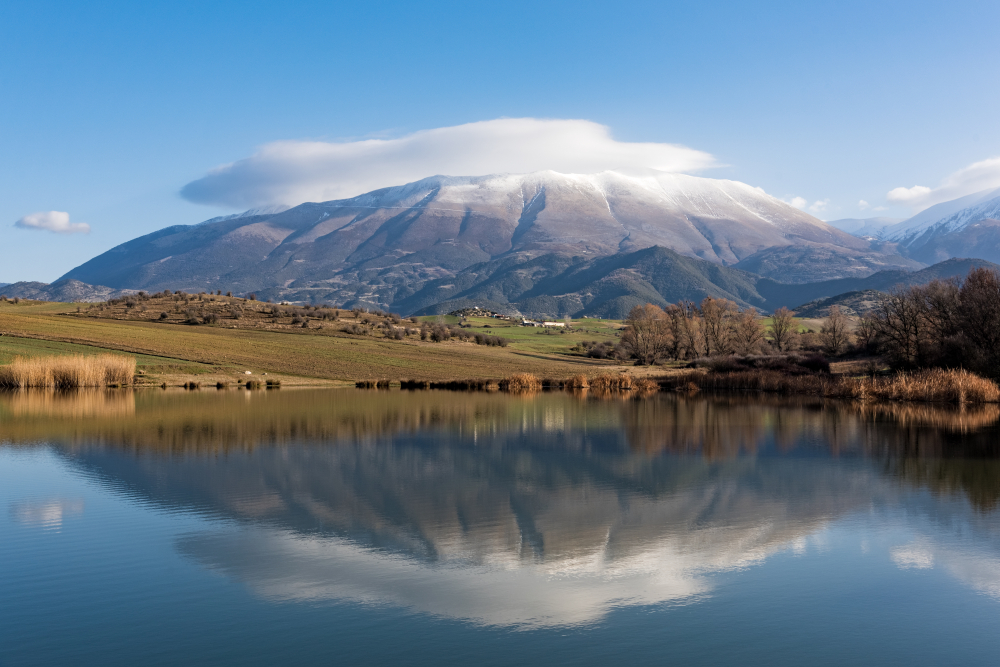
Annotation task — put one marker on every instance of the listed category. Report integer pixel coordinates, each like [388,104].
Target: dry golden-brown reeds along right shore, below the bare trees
[929,386]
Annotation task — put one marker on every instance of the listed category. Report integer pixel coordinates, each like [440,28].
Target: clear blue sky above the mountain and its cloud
[111,108]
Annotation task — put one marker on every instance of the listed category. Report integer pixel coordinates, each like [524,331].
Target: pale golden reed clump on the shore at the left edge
[68,372]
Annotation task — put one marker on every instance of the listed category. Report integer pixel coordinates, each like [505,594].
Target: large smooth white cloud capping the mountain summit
[292,172]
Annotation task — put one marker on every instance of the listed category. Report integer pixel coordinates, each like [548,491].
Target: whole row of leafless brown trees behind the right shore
[945,323]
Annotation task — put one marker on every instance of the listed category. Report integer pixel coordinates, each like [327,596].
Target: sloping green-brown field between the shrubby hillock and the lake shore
[171,351]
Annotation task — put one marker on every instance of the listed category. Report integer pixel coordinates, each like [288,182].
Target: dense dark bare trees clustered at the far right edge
[948,323]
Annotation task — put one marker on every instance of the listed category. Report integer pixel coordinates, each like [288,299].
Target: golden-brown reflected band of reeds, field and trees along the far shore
[716,427]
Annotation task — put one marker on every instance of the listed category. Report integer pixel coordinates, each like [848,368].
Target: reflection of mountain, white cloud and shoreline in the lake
[521,511]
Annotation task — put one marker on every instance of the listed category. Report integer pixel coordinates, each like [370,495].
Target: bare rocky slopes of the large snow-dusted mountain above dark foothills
[388,248]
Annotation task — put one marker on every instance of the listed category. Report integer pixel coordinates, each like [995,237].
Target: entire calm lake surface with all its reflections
[429,528]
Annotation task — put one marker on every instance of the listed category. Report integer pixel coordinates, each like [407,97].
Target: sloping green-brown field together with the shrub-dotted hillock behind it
[298,344]
